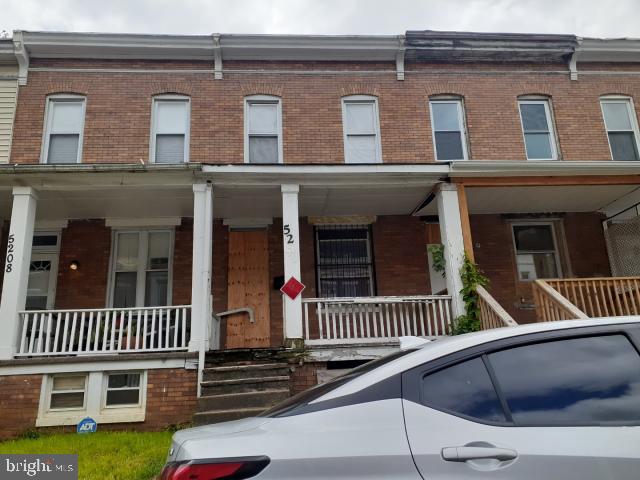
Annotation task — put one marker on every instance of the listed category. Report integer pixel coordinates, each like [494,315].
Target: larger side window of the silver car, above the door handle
[578,381]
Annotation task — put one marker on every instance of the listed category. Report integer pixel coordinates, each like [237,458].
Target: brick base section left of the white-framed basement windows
[19,399]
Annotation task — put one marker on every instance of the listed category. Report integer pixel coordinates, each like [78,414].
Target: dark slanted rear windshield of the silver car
[318,391]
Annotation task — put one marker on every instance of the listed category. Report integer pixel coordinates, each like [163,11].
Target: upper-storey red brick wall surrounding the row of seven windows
[118,109]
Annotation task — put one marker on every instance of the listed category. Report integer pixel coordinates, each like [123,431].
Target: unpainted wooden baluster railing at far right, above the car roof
[601,297]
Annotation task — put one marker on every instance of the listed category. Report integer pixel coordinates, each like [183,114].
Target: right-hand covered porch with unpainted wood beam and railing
[556,247]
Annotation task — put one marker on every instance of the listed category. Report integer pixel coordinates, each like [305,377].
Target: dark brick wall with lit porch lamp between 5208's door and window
[88,242]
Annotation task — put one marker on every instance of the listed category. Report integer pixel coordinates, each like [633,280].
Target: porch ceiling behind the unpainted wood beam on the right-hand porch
[580,198]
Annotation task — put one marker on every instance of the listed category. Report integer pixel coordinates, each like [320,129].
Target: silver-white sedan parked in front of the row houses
[548,400]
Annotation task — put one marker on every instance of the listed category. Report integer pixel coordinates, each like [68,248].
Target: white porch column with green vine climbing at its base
[451,233]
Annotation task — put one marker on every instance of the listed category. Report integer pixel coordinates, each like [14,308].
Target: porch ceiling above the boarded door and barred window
[266,201]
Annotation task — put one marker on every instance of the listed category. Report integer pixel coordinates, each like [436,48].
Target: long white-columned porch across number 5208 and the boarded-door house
[126,260]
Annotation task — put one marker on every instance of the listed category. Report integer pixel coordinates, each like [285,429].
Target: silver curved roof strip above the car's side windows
[447,345]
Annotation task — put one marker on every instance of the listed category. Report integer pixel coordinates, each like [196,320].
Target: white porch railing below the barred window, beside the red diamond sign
[374,319]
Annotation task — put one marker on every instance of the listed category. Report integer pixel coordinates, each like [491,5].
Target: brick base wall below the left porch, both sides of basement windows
[171,400]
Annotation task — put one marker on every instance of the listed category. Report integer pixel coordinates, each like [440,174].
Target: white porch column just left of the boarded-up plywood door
[201,308]
